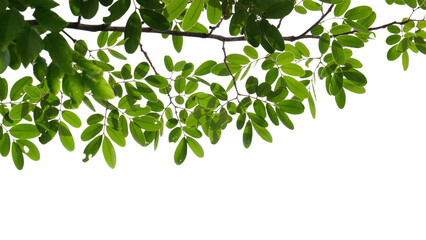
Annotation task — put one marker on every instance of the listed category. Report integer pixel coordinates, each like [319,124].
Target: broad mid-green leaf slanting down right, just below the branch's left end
[60,52]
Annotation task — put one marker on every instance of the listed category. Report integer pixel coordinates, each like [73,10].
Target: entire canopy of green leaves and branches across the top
[139,103]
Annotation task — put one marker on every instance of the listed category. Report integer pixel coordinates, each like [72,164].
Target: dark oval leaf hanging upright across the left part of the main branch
[132,32]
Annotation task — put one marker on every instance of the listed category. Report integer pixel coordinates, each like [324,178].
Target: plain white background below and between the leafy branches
[357,173]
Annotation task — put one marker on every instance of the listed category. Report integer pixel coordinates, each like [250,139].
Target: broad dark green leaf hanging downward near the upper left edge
[29,46]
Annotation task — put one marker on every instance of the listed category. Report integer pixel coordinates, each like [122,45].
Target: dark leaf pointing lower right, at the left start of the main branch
[49,19]
